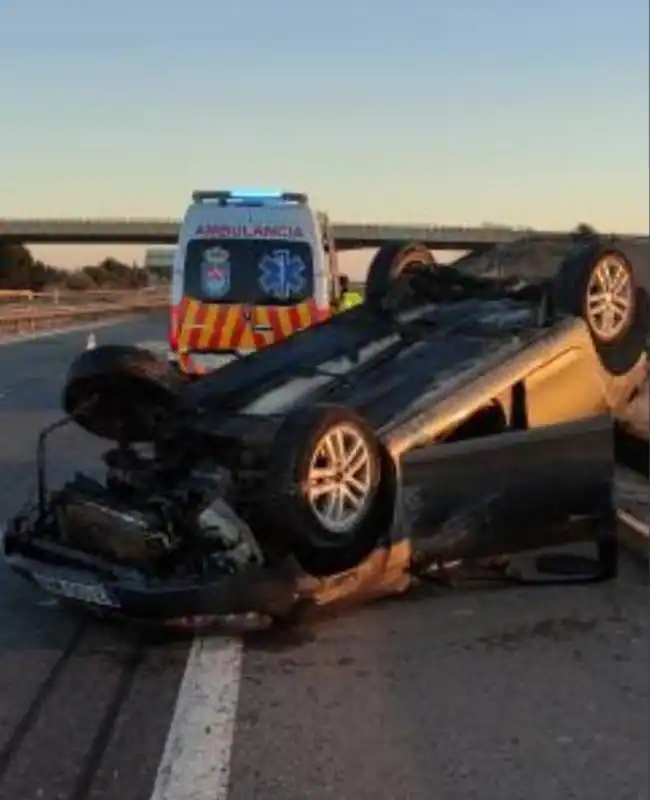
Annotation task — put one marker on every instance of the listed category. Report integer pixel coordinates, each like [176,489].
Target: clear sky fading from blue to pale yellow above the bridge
[432,111]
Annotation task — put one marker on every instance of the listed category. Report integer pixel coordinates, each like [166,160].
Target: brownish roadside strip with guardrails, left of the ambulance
[46,312]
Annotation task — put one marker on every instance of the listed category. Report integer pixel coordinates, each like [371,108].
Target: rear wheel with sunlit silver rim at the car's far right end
[580,289]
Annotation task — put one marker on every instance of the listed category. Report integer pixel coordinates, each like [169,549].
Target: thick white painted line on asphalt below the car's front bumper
[196,760]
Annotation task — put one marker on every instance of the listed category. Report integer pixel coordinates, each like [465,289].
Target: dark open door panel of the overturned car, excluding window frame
[511,491]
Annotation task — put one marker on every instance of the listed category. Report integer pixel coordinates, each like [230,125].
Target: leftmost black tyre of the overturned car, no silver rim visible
[120,393]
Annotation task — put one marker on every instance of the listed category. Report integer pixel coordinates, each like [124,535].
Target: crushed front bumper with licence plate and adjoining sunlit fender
[269,592]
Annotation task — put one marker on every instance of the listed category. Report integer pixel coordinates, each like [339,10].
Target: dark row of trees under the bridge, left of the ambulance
[20,270]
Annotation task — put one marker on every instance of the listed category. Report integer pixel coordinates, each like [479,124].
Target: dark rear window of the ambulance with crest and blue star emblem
[250,271]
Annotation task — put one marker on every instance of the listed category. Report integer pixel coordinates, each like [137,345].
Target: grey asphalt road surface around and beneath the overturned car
[521,694]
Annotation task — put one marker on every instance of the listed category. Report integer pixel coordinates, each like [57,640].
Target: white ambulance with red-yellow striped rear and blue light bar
[250,268]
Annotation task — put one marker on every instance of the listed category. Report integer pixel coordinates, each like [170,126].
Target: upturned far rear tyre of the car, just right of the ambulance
[391,263]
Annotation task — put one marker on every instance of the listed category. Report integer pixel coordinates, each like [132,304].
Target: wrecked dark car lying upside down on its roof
[450,422]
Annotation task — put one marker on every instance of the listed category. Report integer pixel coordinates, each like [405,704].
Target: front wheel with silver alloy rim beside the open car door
[304,524]
